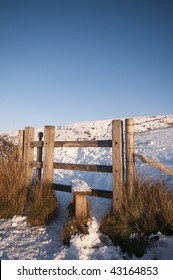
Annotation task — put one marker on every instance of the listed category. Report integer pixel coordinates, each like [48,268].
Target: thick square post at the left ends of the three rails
[48,155]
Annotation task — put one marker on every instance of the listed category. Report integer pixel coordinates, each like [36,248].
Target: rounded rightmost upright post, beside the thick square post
[130,159]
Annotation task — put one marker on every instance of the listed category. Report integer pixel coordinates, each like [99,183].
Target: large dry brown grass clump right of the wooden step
[149,211]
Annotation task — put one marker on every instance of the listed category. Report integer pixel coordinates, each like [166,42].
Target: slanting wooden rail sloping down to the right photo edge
[156,164]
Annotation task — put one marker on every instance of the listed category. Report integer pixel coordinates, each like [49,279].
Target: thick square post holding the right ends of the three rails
[117,163]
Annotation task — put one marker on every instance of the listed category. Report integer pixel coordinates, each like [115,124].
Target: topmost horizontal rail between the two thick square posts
[77,144]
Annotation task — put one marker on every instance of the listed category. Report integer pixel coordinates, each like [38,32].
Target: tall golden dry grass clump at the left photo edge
[13,191]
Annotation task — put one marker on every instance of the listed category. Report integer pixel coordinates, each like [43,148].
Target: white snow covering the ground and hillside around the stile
[153,137]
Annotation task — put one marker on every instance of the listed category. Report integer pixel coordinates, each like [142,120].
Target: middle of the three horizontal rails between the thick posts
[83,167]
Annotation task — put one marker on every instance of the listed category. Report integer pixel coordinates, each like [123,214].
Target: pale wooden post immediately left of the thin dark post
[28,153]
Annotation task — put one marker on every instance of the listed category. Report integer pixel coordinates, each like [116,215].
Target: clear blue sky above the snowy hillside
[66,61]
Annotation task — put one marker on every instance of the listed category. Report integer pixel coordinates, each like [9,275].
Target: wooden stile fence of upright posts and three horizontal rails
[45,164]
